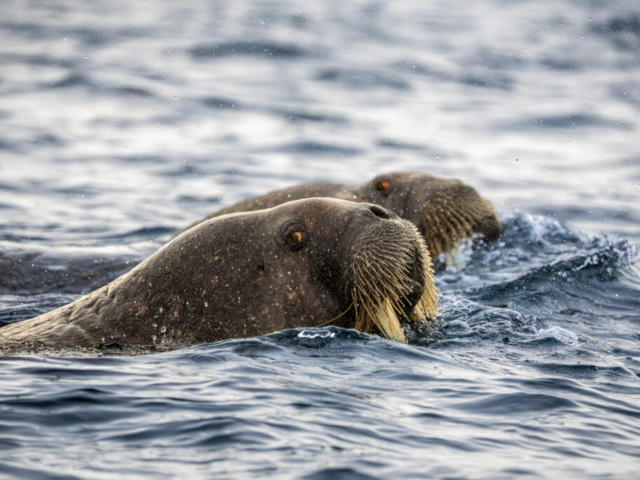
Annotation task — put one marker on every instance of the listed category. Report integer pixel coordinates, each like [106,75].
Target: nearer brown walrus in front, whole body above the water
[305,263]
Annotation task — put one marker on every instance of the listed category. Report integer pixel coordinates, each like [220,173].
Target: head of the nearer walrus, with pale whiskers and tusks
[374,264]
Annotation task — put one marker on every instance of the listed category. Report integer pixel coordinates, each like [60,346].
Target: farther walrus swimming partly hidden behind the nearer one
[445,211]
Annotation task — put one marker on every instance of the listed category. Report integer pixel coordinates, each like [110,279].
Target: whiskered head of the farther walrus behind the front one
[445,211]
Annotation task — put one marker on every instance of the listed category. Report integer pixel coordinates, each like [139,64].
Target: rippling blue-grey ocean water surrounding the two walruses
[123,122]
